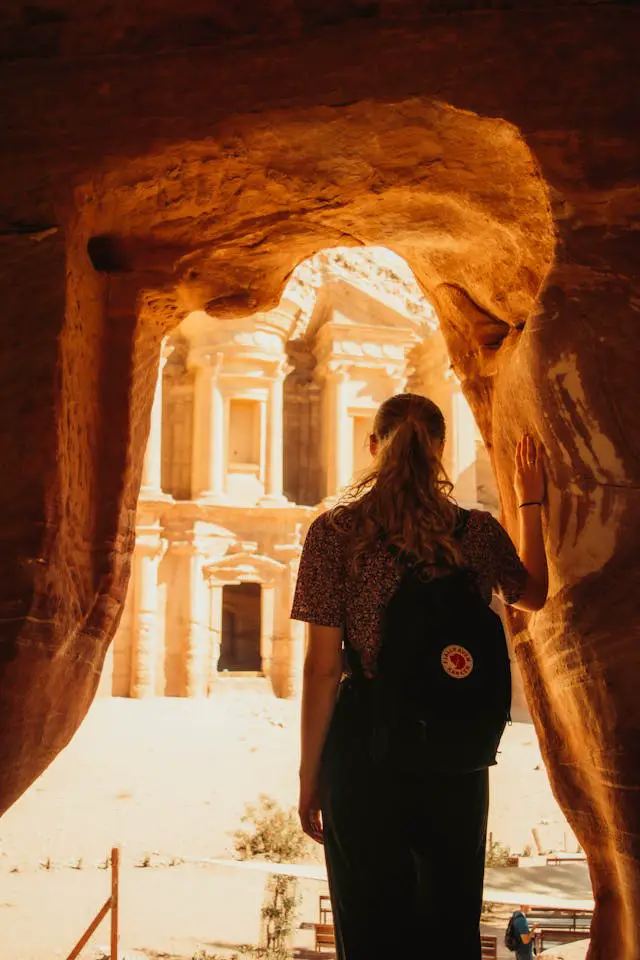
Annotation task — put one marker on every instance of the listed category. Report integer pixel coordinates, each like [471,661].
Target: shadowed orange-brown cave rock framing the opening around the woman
[160,158]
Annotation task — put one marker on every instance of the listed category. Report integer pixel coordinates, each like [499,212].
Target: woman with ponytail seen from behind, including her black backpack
[394,759]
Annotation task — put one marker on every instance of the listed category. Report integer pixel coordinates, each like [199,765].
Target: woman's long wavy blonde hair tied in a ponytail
[406,496]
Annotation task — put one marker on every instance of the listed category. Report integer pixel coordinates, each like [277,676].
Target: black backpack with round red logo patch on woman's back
[441,696]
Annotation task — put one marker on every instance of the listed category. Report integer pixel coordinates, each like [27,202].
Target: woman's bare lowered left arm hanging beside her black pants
[322,673]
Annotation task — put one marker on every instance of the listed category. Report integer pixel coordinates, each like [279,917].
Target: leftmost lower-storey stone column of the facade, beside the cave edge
[146,561]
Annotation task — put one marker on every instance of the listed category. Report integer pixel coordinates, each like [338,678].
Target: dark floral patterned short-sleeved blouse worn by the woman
[329,595]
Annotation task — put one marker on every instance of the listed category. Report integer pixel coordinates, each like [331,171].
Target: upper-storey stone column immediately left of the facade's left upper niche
[208,431]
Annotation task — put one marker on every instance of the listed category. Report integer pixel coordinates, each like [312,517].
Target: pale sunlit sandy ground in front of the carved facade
[169,779]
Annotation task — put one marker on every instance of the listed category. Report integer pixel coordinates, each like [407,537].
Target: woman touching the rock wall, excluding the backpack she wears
[404,850]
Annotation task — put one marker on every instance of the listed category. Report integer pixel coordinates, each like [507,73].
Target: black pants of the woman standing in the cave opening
[405,854]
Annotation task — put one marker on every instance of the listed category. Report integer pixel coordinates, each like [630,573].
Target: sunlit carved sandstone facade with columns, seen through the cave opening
[257,424]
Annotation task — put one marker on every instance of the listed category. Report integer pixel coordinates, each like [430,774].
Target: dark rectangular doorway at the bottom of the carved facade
[241,629]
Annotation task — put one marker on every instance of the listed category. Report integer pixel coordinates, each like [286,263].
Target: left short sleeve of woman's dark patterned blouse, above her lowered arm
[319,593]
